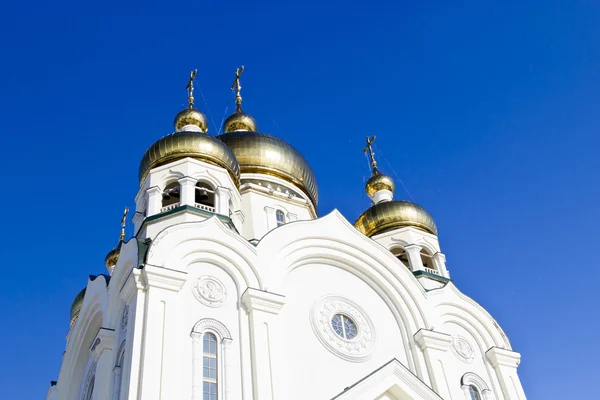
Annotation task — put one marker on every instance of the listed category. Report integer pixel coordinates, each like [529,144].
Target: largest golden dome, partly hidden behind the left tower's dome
[261,153]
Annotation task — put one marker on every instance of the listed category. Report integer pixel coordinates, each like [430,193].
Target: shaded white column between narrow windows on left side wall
[102,351]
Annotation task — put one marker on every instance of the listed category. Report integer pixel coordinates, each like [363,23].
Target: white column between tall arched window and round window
[262,308]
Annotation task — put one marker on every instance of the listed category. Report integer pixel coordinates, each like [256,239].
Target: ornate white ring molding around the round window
[357,349]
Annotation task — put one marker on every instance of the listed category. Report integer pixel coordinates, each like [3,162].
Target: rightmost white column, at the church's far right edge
[505,363]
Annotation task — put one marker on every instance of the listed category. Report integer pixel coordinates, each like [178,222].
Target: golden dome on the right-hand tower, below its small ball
[394,214]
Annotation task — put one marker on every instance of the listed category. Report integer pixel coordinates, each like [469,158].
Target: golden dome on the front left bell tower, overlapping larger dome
[196,145]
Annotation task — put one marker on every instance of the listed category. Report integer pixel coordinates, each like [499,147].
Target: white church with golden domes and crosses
[233,288]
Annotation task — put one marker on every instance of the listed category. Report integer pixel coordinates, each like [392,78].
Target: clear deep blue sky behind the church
[487,111]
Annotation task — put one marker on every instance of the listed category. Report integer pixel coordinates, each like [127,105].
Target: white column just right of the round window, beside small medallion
[434,346]
